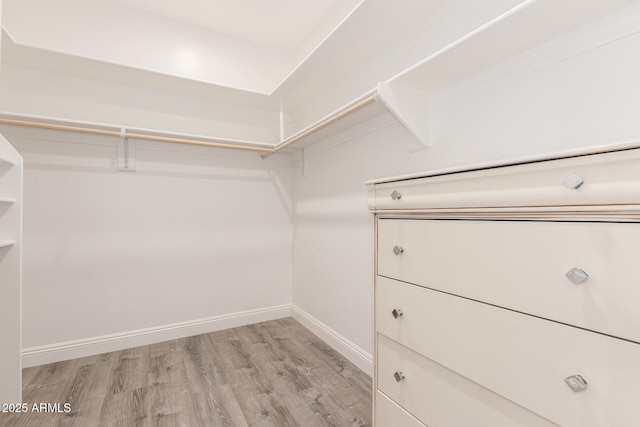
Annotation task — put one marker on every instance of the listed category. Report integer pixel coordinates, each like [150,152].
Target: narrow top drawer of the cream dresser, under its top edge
[610,178]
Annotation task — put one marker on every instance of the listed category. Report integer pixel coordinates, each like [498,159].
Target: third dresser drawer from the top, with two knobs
[523,358]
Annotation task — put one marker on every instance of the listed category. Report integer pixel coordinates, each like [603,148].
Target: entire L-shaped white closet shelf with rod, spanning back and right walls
[530,24]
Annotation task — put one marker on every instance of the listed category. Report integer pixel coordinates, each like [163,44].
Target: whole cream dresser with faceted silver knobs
[509,294]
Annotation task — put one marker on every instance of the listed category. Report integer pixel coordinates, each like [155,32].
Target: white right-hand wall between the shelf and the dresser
[580,90]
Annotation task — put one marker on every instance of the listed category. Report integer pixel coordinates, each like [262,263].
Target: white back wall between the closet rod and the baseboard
[194,233]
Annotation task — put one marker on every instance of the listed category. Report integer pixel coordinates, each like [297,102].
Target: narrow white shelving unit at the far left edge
[11,166]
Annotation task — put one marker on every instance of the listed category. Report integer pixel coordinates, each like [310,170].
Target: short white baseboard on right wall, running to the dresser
[349,350]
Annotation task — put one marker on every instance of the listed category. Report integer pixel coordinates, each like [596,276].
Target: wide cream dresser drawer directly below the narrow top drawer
[522,265]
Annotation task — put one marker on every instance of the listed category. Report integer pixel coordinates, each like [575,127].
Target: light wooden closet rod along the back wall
[141,136]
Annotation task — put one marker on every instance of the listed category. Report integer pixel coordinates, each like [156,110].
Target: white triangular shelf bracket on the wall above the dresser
[411,108]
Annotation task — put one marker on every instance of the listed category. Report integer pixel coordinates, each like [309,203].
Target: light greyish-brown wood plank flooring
[274,373]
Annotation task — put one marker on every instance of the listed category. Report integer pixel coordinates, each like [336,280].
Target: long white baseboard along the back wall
[41,355]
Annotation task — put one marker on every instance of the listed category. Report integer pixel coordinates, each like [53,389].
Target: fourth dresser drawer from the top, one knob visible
[440,397]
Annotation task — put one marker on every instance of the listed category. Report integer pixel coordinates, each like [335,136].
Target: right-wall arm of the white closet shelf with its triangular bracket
[406,94]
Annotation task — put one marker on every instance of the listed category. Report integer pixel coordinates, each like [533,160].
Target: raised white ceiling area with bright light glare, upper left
[251,45]
